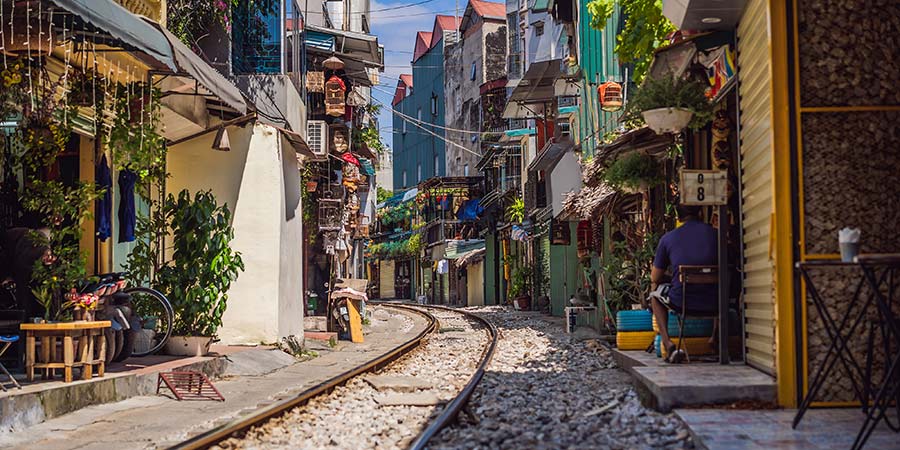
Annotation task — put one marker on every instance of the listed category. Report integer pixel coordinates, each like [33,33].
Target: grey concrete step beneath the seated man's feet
[664,386]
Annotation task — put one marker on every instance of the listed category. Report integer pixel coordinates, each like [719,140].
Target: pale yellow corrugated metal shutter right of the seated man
[757,188]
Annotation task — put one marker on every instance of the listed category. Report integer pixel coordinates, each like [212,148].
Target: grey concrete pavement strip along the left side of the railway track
[159,421]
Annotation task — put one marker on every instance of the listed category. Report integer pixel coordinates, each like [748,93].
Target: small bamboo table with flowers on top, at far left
[90,337]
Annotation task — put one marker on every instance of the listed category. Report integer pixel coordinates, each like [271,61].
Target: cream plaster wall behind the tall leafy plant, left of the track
[259,181]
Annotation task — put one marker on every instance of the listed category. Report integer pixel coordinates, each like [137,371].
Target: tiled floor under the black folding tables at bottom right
[826,429]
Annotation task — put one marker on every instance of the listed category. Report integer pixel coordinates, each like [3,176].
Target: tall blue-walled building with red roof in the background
[419,151]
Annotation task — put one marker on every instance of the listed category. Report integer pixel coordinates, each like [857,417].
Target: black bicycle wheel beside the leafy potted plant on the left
[155,314]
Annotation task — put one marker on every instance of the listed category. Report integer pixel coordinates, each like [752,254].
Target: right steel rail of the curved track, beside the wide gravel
[452,410]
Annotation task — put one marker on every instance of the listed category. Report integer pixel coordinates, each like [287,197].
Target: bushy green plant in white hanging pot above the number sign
[669,104]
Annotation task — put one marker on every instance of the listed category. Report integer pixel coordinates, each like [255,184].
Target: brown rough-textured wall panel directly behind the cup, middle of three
[850,165]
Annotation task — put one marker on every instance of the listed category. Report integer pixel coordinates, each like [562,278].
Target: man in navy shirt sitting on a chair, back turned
[692,244]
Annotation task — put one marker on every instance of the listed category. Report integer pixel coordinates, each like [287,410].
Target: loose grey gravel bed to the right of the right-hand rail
[546,390]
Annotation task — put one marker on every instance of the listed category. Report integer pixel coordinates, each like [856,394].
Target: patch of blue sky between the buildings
[396,30]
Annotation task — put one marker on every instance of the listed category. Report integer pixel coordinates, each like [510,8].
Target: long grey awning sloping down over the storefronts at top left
[156,42]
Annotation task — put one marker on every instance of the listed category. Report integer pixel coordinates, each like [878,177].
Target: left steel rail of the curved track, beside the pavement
[225,431]
